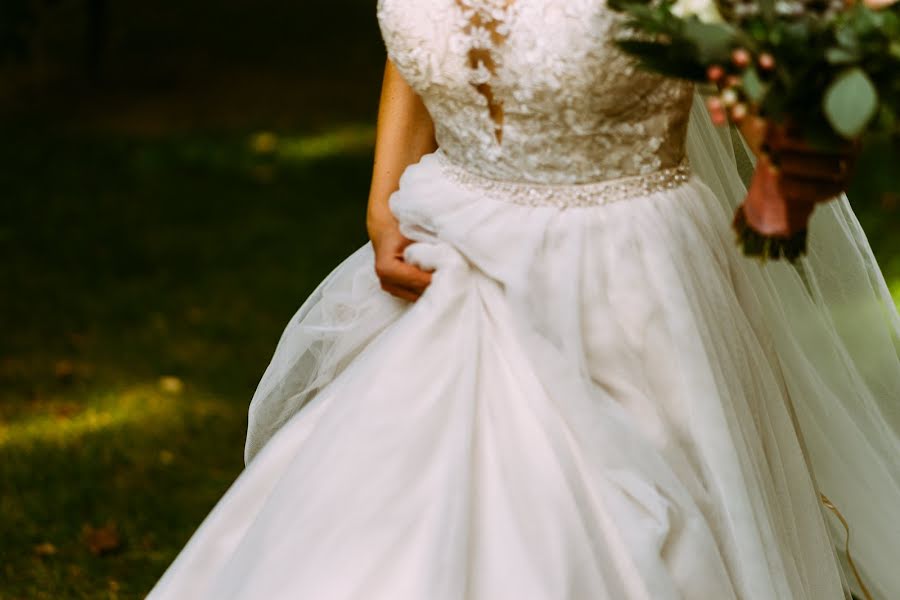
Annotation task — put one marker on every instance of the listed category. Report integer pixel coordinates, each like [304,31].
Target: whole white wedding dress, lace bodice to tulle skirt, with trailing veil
[598,397]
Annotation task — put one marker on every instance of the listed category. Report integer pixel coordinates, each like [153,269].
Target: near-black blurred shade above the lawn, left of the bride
[260,59]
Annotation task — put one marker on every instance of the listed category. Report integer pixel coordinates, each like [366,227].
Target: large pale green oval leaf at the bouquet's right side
[850,102]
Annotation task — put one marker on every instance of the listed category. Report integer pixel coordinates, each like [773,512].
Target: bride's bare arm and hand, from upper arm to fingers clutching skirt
[405,133]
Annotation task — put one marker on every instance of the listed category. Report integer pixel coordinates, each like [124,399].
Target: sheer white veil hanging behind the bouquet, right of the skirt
[837,335]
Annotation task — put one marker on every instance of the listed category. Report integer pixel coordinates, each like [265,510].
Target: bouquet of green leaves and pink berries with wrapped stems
[800,79]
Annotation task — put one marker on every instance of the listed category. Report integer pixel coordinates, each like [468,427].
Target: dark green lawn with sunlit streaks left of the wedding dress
[145,283]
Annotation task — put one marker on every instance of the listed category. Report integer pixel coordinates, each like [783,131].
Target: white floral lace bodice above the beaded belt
[535,90]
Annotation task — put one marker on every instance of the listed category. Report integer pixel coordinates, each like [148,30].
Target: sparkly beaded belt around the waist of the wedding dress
[567,195]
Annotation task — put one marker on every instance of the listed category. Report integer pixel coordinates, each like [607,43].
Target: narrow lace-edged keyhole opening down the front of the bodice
[485,31]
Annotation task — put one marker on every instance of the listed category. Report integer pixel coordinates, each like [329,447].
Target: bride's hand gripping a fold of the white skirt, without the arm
[398,277]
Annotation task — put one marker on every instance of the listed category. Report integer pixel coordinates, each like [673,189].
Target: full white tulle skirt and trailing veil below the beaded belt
[597,402]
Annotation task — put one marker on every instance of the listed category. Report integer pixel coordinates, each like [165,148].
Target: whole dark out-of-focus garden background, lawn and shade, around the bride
[175,178]
